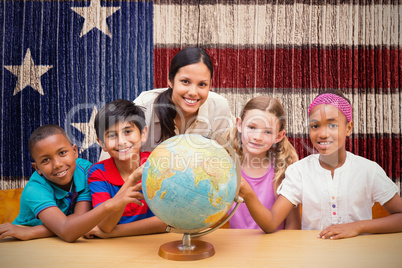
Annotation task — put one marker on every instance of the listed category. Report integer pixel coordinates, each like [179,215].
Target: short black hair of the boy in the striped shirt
[118,111]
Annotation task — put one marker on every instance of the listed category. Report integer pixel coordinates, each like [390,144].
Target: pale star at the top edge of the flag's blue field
[95,17]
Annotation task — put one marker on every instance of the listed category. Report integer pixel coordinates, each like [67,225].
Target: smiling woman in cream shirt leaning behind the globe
[187,105]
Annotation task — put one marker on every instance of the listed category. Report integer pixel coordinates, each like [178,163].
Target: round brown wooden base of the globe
[171,251]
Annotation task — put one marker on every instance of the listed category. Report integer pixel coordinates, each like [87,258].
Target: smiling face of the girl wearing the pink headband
[328,129]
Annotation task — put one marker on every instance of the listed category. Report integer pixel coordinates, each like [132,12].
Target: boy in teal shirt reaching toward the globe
[56,199]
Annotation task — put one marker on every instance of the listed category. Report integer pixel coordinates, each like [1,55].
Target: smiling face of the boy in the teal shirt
[54,158]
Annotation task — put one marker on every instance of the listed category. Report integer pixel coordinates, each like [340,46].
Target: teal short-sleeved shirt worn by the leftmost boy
[40,194]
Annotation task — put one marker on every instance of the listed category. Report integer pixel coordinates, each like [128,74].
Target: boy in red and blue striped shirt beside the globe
[120,128]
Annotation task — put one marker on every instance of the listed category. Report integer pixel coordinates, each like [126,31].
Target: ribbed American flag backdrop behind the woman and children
[63,60]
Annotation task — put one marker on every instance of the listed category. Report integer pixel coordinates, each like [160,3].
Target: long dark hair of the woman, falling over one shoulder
[164,106]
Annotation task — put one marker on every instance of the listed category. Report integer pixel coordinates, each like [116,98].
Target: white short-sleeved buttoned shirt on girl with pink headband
[347,197]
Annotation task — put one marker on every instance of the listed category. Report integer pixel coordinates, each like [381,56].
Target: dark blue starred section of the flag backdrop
[60,62]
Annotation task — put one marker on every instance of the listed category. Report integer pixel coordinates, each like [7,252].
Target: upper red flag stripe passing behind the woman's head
[345,68]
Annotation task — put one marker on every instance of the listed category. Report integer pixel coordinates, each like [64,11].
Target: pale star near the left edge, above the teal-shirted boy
[28,74]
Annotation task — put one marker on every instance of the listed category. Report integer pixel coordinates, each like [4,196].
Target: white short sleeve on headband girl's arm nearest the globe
[292,186]
